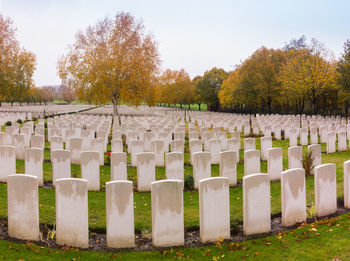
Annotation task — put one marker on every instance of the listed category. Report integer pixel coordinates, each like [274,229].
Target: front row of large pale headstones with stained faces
[167,207]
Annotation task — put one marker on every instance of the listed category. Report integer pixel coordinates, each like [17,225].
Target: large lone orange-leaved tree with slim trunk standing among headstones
[114,59]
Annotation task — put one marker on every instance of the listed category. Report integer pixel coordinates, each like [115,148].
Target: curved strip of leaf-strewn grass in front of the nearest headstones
[327,239]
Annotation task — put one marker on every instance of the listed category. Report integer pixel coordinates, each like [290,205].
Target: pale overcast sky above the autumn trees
[192,34]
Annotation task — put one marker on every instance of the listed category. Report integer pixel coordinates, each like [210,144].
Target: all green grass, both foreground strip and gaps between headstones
[258,249]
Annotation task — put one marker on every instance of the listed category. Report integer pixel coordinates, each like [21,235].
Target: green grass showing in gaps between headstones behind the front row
[142,201]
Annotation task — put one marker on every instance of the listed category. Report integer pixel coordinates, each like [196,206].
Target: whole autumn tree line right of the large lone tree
[297,78]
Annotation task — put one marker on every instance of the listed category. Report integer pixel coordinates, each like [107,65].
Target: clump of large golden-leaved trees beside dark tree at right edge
[297,78]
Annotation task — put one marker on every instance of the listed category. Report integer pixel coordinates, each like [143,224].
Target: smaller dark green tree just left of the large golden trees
[208,86]
